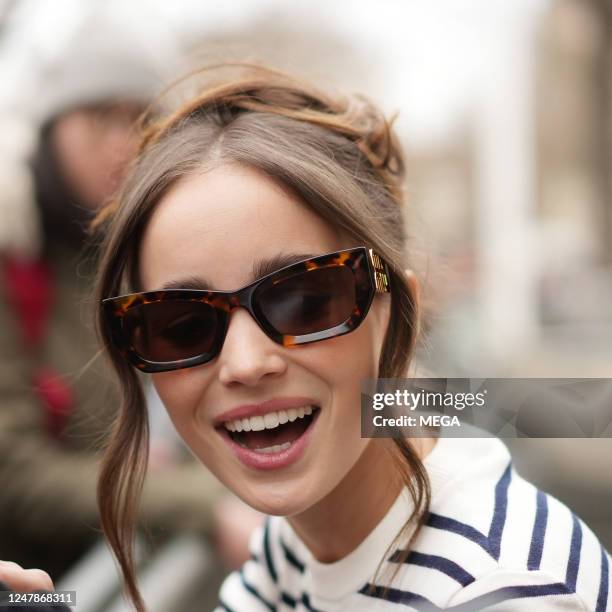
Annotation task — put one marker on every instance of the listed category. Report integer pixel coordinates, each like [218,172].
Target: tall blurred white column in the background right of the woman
[506,199]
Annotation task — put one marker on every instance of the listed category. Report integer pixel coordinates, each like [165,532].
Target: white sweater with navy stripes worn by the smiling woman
[492,541]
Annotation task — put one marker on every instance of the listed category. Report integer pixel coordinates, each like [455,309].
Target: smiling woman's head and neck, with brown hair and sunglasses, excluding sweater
[247,245]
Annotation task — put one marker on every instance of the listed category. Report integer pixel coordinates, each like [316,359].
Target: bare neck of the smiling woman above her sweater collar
[337,524]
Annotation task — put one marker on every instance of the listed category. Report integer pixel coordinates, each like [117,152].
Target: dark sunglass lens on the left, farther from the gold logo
[171,330]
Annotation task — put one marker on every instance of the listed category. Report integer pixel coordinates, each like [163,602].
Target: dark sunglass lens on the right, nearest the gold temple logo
[309,302]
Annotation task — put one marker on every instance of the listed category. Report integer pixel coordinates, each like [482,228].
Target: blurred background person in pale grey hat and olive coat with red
[63,154]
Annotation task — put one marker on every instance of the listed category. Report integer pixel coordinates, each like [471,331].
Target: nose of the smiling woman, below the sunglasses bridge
[248,355]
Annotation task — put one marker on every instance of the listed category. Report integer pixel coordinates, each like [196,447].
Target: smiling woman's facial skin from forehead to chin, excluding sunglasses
[220,225]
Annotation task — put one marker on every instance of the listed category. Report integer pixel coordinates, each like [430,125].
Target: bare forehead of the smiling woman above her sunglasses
[221,223]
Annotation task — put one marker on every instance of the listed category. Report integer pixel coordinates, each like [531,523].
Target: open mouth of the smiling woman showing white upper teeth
[273,432]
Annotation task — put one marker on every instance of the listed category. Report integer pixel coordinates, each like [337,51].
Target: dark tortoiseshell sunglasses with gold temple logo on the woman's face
[309,301]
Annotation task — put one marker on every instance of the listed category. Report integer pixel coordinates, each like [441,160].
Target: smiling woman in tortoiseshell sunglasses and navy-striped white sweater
[253,265]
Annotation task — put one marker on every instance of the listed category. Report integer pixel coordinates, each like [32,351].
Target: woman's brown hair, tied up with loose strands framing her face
[338,153]
